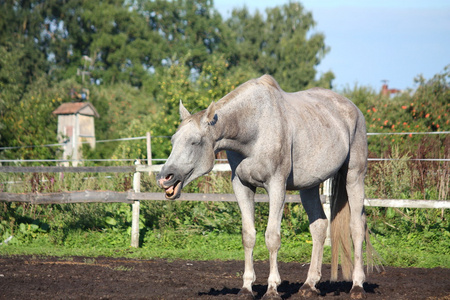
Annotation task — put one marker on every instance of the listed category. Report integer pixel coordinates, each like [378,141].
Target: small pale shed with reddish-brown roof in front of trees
[75,126]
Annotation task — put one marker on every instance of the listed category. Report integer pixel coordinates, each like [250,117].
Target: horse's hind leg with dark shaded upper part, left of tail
[318,227]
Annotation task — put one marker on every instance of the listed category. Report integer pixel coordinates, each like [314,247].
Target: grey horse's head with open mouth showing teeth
[192,152]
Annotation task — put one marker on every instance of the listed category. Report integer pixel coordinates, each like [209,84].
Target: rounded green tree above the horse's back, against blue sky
[279,45]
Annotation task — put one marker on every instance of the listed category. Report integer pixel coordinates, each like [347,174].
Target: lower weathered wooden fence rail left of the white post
[67,197]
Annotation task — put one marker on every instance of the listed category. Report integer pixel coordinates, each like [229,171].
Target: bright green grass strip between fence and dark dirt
[217,246]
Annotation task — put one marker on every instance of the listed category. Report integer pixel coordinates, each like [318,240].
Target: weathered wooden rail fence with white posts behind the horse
[134,196]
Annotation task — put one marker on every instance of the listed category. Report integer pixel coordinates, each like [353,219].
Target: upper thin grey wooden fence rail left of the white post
[118,169]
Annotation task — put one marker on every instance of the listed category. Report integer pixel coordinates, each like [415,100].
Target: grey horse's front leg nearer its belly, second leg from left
[273,238]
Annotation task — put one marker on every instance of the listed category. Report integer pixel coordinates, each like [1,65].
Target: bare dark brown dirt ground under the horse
[25,277]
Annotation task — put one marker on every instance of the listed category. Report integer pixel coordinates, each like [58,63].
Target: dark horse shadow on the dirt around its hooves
[287,289]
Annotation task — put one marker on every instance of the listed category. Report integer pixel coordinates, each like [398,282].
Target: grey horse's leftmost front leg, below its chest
[245,197]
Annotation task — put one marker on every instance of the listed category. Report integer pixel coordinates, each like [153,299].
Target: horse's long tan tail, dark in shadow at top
[340,229]
